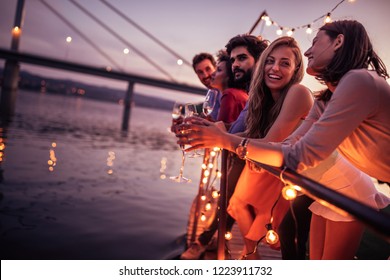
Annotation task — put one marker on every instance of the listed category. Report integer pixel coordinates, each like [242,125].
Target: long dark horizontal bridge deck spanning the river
[102,72]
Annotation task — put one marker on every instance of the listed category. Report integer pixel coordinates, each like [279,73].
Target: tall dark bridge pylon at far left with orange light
[11,69]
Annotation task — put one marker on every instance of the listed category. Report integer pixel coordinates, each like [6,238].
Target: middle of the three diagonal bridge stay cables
[120,38]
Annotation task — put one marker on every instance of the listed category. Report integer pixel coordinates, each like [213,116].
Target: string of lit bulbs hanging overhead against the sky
[288,30]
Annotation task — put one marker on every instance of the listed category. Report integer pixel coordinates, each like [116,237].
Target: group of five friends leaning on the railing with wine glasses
[338,137]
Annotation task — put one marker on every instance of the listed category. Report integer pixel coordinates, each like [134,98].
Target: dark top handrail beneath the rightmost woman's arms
[376,220]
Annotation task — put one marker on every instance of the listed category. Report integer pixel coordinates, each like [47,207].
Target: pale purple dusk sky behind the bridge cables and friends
[186,27]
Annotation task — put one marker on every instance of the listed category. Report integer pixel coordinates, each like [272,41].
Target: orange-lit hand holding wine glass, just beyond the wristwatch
[200,133]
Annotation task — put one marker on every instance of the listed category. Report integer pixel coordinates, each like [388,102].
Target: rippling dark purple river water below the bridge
[79,210]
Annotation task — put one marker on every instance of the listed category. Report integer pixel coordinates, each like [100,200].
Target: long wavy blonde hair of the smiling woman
[262,109]
